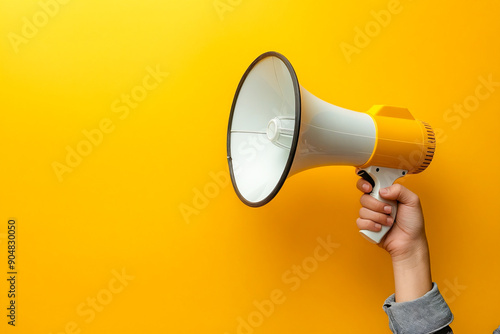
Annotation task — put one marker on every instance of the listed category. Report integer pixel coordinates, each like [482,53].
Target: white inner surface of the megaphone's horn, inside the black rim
[266,94]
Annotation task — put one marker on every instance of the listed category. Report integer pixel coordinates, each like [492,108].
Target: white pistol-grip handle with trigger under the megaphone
[381,177]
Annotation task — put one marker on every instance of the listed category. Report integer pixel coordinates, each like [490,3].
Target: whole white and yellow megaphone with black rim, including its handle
[278,129]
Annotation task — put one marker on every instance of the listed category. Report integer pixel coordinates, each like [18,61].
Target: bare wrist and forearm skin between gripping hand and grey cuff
[412,273]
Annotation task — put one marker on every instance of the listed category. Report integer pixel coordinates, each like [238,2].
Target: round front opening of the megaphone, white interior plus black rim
[263,128]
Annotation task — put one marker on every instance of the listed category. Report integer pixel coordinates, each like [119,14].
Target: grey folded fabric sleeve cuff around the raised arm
[423,315]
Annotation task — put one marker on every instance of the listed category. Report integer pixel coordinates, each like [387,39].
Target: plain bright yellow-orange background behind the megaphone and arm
[119,209]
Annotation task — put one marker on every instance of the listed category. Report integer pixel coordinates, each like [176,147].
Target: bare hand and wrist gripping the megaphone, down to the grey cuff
[405,242]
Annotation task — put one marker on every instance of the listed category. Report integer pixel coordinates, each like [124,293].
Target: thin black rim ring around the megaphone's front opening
[296,130]
